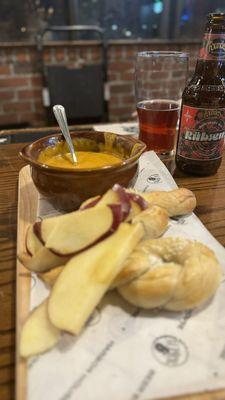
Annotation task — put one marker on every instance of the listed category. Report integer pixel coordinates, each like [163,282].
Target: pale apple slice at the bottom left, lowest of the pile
[38,334]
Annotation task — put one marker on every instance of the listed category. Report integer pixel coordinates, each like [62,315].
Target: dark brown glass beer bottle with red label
[202,122]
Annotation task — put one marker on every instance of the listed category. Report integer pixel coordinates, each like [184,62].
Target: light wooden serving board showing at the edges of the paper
[27,212]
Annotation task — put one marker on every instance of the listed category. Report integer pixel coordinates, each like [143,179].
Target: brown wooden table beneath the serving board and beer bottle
[210,193]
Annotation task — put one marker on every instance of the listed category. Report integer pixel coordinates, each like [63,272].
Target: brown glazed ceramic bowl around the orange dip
[66,189]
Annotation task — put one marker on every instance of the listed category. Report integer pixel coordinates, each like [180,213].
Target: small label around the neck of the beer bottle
[213,47]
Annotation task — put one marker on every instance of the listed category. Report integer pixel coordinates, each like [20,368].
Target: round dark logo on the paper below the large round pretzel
[169,350]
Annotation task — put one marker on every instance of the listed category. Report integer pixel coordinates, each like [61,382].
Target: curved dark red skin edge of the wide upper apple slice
[117,219]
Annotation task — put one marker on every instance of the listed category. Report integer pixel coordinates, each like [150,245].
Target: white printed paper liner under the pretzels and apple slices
[126,353]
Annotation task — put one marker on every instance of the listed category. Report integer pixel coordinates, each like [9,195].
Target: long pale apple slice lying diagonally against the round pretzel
[87,276]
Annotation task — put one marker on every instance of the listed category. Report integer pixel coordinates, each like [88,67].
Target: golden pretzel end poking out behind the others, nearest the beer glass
[177,202]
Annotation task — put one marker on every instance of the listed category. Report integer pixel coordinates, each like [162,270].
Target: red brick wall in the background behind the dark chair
[21,80]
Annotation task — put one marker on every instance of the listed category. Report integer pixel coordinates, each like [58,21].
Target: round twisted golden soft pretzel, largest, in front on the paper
[175,274]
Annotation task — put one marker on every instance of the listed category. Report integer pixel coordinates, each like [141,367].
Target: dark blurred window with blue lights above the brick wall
[121,19]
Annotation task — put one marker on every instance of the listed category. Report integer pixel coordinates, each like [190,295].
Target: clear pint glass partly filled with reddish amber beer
[160,78]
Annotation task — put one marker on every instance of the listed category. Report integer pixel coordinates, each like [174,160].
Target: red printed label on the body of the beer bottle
[202,132]
